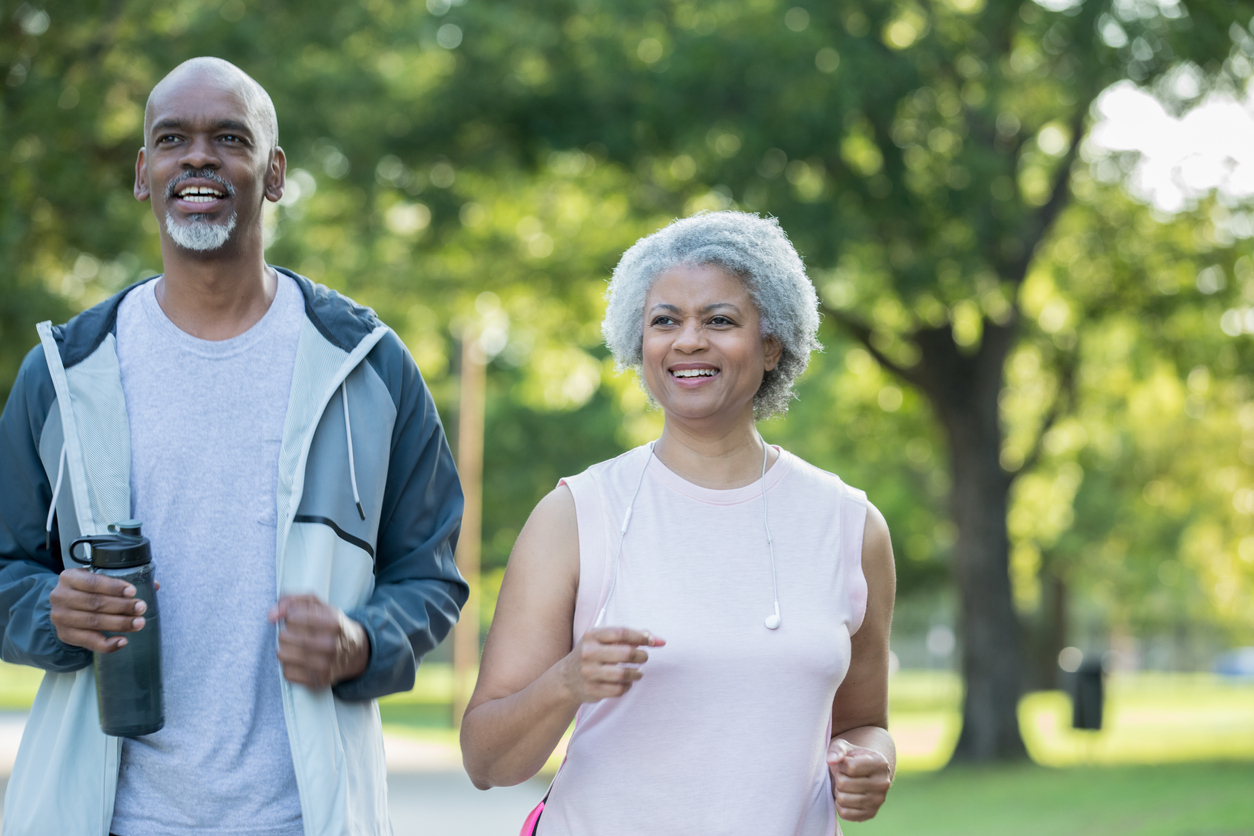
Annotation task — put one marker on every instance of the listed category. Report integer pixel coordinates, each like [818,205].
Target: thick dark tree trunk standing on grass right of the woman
[965,392]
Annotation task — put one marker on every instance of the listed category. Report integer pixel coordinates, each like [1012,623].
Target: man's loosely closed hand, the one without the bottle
[319,646]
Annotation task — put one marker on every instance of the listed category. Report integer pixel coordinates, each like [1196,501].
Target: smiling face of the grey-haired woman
[704,350]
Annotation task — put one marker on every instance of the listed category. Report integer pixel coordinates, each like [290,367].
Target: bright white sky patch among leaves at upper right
[1211,147]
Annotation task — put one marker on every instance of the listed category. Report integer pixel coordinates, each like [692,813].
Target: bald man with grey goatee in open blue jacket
[287,462]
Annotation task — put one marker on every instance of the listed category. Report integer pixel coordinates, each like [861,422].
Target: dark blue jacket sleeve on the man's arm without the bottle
[418,590]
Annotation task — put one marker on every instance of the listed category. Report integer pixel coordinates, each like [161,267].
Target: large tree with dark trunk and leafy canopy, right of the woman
[919,156]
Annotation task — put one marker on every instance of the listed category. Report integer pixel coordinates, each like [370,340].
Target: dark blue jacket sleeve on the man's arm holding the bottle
[28,567]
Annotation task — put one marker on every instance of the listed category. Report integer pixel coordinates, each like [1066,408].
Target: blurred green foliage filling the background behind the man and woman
[457,162]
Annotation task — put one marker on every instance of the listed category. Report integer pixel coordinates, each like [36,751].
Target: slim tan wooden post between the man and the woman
[466,635]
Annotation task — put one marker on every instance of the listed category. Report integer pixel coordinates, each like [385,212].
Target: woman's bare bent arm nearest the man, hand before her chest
[531,680]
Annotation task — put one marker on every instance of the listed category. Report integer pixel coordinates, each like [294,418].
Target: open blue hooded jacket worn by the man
[376,538]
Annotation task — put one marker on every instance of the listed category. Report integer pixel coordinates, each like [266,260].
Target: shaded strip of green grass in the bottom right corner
[1172,800]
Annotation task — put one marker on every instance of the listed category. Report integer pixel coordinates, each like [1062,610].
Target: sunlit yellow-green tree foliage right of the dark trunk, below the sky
[1138,501]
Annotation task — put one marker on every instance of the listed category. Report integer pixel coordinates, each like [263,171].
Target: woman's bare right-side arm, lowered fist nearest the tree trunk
[862,754]
